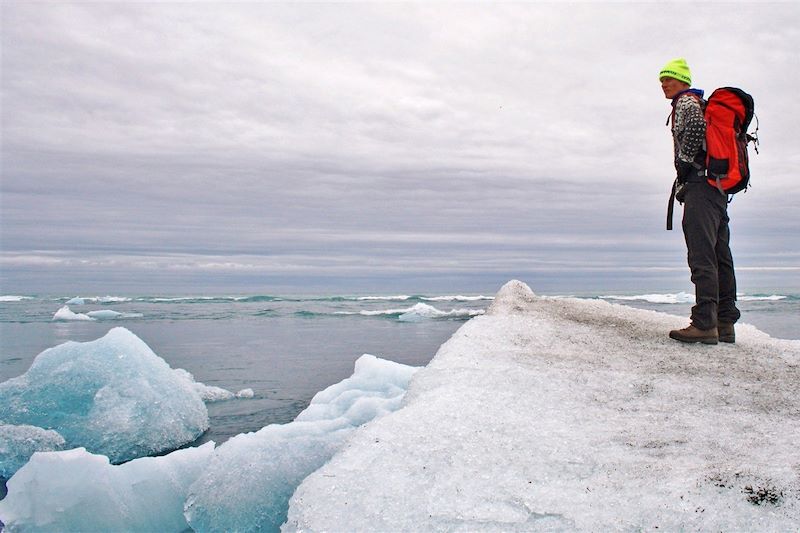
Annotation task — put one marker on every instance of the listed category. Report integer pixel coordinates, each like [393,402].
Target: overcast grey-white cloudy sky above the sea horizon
[355,146]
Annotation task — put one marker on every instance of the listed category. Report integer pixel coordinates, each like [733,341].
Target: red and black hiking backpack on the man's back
[728,114]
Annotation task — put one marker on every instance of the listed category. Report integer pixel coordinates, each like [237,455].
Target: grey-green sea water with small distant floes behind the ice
[287,348]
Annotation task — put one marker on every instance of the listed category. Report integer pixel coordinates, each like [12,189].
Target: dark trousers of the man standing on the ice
[705,228]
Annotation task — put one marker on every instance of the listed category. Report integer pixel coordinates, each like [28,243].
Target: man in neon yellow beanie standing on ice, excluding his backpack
[705,215]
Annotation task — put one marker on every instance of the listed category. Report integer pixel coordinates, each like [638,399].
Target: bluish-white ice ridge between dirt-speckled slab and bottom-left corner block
[251,477]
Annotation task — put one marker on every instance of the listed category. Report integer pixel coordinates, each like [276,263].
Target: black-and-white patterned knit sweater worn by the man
[689,128]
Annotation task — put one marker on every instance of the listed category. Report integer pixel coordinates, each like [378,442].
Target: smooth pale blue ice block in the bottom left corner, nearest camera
[75,490]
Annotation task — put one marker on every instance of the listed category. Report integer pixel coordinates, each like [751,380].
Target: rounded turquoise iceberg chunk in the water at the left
[113,396]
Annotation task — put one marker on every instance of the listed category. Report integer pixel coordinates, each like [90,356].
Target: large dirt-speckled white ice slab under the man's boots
[567,414]
